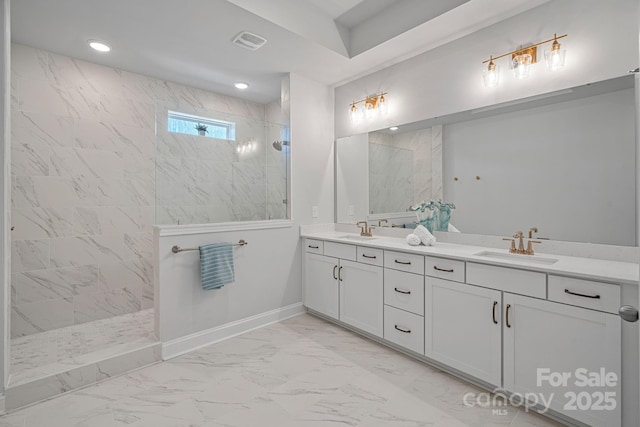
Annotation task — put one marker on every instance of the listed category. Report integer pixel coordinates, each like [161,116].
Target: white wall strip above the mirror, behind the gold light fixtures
[602,43]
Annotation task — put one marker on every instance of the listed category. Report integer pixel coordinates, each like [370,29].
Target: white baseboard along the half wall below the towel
[179,346]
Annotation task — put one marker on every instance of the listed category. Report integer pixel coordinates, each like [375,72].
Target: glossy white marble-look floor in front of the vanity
[303,372]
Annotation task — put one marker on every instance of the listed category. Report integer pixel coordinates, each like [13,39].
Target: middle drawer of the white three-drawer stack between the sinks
[404,291]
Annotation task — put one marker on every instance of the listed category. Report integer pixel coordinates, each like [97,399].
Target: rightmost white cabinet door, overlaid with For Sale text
[544,339]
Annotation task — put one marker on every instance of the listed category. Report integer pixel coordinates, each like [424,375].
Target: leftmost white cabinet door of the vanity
[321,284]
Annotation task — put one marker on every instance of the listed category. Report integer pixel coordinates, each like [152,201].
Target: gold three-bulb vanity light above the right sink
[523,58]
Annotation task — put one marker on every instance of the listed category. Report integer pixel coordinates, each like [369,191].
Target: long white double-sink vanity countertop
[586,268]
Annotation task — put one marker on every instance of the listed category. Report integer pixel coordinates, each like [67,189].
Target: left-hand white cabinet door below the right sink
[463,328]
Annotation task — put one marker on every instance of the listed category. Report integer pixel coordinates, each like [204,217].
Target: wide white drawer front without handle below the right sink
[511,280]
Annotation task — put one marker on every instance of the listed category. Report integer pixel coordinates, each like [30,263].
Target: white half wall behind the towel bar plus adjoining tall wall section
[269,268]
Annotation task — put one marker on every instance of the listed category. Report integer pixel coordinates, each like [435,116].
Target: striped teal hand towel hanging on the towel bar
[216,265]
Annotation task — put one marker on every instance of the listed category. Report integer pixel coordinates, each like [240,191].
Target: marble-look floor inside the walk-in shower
[51,352]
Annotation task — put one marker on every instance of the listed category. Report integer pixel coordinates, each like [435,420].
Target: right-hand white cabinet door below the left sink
[361,302]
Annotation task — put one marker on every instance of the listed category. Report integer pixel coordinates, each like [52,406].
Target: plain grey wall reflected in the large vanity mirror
[572,169]
